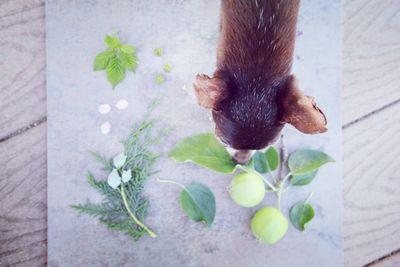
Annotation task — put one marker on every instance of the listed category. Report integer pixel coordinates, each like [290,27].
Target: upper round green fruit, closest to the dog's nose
[247,189]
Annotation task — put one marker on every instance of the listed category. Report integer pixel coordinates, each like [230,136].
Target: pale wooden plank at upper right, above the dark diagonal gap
[371,56]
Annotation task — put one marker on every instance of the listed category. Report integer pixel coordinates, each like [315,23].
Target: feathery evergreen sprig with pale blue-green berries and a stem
[124,207]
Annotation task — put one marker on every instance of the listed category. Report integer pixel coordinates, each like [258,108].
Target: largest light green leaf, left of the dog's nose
[204,150]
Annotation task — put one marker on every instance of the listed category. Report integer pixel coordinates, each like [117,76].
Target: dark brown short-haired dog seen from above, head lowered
[252,93]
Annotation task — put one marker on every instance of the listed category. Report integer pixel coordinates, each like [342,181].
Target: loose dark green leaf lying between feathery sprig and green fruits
[198,202]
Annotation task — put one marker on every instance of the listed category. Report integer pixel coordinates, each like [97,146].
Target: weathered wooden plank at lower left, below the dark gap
[23,198]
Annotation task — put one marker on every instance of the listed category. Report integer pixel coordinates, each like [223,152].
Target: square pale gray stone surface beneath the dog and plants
[188,31]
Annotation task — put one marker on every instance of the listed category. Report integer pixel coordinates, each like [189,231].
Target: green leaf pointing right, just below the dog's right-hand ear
[306,160]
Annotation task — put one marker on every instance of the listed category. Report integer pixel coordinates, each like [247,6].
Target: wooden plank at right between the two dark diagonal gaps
[371,227]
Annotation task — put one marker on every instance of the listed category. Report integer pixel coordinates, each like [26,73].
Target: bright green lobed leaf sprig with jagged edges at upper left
[116,60]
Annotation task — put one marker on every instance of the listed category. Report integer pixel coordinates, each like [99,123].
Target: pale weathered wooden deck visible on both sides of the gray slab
[370,115]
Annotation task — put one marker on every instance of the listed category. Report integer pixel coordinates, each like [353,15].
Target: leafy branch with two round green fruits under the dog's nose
[247,189]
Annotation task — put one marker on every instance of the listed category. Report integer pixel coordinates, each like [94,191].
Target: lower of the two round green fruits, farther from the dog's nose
[269,225]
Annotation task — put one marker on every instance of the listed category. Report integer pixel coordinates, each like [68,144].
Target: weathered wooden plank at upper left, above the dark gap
[22,64]
